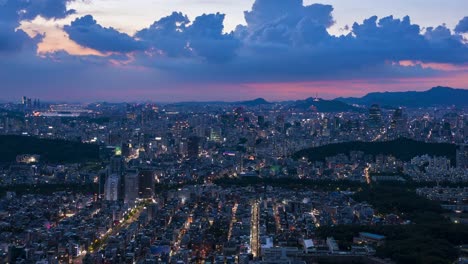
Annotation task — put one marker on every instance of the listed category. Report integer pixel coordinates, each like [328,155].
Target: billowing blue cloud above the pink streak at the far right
[397,39]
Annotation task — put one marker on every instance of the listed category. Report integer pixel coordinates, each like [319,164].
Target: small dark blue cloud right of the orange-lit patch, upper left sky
[86,32]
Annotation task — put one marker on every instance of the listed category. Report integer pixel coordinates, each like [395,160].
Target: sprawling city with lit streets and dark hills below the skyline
[243,182]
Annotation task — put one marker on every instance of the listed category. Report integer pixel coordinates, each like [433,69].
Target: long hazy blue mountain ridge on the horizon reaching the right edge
[437,96]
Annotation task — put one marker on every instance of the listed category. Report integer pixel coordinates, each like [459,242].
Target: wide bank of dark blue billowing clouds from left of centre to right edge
[288,41]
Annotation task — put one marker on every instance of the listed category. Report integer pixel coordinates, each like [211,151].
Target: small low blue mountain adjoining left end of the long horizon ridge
[321,105]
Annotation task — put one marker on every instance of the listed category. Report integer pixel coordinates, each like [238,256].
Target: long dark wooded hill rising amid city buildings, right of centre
[403,149]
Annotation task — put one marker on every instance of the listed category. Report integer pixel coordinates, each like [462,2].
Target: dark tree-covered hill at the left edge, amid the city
[54,151]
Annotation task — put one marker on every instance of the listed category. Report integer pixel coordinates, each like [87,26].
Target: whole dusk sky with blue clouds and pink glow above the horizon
[204,50]
